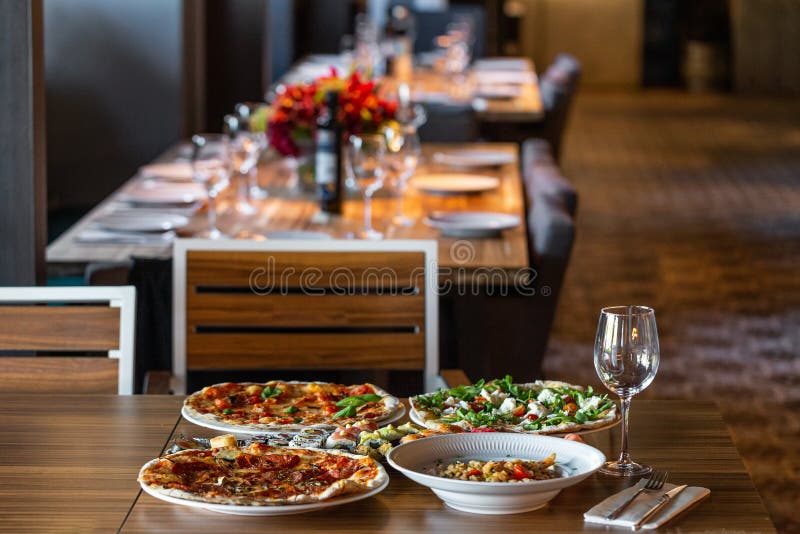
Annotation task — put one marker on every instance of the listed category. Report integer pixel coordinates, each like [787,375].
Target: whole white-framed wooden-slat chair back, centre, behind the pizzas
[311,305]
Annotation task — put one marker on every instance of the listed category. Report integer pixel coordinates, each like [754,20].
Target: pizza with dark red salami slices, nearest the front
[260,475]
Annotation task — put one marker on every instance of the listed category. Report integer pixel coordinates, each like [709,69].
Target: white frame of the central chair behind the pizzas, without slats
[182,246]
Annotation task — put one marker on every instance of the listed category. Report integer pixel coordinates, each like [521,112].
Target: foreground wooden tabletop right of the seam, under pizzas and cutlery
[687,438]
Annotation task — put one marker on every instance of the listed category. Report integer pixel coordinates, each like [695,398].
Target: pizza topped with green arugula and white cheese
[541,407]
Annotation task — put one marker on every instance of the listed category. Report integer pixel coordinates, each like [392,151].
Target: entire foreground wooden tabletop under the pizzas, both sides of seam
[70,462]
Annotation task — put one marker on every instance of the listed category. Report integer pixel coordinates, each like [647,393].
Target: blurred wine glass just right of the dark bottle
[366,161]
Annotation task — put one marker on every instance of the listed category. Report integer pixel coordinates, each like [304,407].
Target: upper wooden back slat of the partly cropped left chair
[59,328]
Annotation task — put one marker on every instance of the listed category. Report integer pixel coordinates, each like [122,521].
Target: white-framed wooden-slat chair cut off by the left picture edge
[86,319]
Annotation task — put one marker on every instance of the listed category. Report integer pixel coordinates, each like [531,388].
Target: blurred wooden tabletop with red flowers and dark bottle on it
[286,209]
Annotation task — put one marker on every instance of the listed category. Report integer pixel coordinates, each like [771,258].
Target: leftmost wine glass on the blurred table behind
[211,166]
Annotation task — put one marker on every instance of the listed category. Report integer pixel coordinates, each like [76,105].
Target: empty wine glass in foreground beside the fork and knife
[626,356]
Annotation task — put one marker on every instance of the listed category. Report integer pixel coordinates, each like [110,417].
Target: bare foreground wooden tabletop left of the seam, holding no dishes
[69,462]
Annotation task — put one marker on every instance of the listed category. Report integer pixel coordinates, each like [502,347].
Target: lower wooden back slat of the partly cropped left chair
[59,375]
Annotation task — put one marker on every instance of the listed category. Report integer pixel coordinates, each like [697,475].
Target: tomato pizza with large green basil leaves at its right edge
[248,407]
